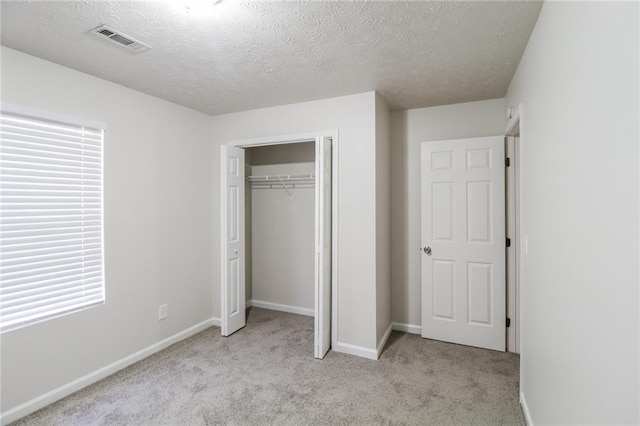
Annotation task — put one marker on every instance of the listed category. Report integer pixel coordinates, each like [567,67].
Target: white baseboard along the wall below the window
[74,386]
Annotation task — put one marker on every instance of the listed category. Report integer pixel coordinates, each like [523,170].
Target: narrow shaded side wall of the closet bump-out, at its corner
[383,220]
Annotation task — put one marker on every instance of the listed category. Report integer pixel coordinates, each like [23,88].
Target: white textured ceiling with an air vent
[249,54]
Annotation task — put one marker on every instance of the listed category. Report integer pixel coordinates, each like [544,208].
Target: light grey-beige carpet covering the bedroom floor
[266,374]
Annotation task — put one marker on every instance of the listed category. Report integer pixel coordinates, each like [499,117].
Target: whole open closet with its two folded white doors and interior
[276,226]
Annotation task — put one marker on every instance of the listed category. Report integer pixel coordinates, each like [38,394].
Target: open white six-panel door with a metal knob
[463,237]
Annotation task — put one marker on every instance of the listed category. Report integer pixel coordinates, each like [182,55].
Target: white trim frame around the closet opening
[301,138]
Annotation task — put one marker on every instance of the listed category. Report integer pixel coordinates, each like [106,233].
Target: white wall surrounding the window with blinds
[157,190]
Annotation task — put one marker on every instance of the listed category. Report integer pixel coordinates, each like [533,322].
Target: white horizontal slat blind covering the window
[51,227]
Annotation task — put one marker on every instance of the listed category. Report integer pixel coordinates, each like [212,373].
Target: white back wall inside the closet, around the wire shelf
[280,228]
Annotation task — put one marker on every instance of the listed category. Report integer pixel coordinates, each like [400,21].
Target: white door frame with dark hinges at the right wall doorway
[518,249]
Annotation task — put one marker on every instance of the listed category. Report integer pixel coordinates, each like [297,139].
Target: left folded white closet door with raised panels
[233,240]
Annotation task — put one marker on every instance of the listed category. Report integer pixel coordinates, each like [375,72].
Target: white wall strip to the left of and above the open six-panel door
[409,129]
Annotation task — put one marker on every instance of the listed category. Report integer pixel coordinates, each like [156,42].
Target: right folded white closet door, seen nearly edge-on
[322,338]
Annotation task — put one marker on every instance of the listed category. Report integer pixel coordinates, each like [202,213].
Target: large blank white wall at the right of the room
[578,81]
